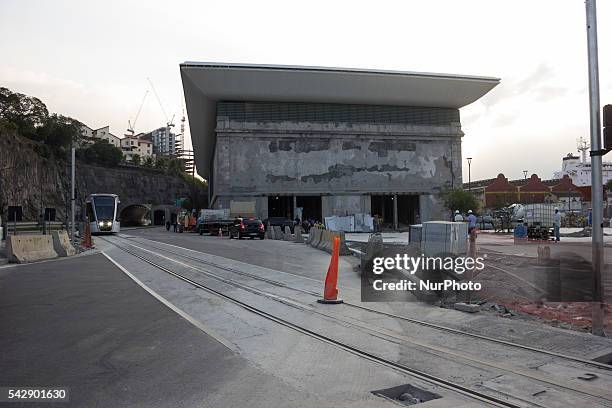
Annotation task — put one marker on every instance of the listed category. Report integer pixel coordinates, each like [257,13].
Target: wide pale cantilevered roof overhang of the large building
[205,83]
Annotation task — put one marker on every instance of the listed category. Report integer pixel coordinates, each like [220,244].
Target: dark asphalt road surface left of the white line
[83,324]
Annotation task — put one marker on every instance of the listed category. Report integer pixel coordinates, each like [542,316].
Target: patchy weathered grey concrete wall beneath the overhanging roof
[342,160]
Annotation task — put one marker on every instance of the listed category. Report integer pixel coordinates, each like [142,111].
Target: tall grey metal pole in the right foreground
[596,169]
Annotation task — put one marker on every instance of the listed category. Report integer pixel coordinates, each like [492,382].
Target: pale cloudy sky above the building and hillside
[91,60]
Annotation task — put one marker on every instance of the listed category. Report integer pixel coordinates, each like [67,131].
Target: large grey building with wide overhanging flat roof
[329,141]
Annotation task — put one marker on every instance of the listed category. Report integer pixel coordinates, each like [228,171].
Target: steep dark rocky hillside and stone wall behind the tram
[33,181]
